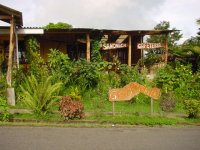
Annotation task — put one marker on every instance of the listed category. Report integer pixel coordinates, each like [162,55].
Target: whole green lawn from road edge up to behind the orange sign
[128,114]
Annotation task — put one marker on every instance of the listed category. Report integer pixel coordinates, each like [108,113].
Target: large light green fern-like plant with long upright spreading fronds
[39,95]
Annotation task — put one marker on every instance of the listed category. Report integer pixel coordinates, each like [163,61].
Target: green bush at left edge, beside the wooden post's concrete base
[4,108]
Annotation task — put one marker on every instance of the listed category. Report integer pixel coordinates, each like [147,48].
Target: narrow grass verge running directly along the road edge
[104,120]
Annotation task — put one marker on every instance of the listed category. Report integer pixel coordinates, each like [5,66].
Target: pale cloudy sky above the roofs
[111,14]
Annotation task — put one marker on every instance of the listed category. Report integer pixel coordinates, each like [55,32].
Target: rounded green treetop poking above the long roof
[59,25]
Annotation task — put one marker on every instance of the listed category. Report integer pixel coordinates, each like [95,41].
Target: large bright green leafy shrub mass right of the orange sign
[180,80]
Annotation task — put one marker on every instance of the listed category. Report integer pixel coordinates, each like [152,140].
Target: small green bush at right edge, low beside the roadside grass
[192,108]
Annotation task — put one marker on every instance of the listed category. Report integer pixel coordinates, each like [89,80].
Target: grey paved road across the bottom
[54,138]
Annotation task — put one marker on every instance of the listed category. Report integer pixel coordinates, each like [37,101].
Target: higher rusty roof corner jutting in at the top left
[6,13]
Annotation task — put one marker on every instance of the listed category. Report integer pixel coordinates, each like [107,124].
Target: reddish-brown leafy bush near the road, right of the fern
[71,109]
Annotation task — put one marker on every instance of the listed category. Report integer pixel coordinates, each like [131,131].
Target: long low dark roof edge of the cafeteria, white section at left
[120,33]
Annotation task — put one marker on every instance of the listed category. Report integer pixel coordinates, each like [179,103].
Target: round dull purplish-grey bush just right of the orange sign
[167,102]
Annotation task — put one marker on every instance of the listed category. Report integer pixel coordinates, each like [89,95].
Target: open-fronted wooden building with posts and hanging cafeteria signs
[76,42]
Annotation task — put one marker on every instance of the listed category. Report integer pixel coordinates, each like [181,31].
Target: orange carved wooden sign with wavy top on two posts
[132,89]
